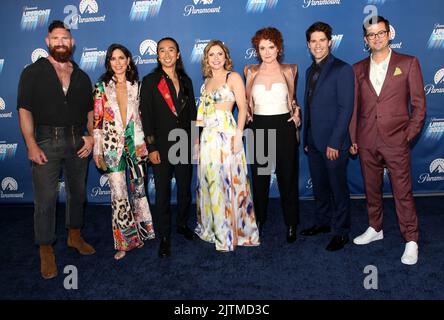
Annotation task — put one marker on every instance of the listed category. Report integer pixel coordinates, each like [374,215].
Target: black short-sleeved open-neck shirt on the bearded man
[41,93]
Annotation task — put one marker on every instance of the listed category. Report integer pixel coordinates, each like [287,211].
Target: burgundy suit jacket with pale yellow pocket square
[389,112]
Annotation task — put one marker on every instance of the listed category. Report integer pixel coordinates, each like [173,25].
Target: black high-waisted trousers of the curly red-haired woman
[283,156]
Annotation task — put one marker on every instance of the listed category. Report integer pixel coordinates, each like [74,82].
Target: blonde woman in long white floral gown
[225,213]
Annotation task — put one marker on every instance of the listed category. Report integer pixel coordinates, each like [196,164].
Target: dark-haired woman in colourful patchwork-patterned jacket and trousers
[119,147]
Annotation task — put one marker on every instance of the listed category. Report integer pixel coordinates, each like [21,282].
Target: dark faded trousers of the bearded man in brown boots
[60,146]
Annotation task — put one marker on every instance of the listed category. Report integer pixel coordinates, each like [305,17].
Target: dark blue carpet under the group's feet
[273,271]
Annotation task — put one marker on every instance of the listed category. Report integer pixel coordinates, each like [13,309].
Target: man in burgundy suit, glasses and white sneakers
[382,128]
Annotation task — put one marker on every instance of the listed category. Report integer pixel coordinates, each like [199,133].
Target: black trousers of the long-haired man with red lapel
[163,174]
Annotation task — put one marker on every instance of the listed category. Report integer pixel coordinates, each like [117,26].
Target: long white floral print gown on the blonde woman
[225,213]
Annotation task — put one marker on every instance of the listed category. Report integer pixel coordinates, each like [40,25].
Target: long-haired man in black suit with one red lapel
[167,103]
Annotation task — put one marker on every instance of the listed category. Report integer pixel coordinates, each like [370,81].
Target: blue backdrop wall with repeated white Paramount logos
[417,28]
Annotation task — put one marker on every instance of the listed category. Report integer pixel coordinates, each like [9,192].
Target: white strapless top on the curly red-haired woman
[270,102]
